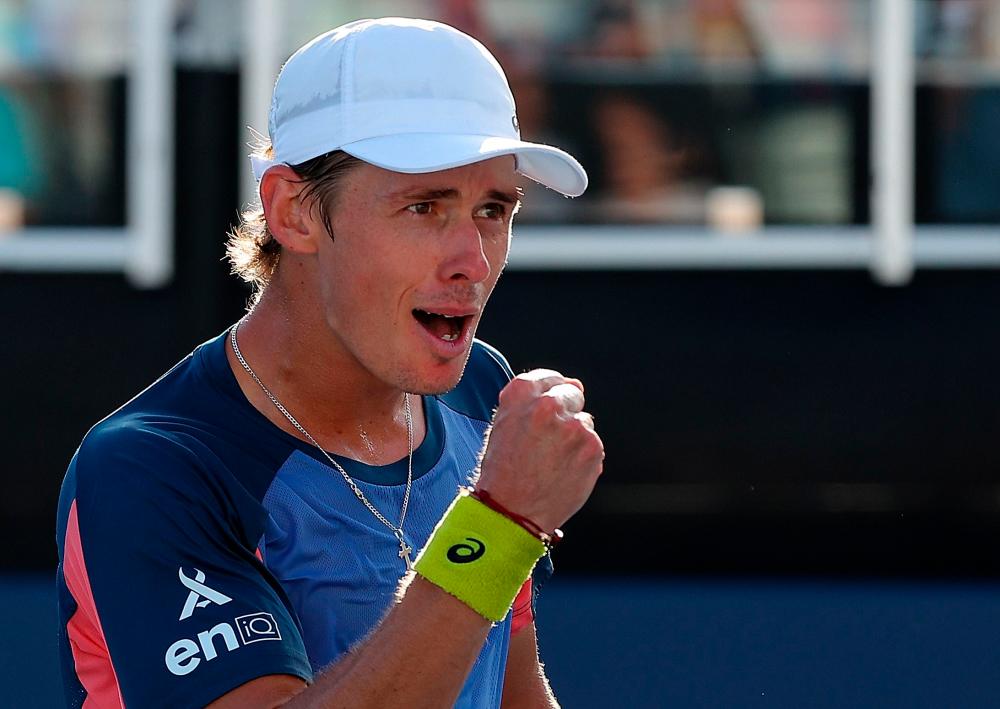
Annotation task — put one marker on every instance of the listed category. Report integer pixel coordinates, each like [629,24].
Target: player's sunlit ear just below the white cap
[289,219]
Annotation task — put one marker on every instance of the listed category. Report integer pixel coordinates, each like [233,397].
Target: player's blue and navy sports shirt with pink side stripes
[202,547]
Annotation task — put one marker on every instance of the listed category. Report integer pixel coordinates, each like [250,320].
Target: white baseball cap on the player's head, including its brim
[405,95]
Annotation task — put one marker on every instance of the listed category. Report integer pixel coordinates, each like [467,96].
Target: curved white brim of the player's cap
[430,152]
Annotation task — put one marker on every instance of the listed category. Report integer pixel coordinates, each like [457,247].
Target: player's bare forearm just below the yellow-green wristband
[419,656]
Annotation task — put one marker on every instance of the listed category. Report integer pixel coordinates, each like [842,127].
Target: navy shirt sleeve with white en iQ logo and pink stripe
[172,606]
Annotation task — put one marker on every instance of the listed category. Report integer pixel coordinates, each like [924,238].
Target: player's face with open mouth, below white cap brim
[413,261]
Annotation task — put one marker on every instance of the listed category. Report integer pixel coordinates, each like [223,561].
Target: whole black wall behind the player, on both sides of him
[755,422]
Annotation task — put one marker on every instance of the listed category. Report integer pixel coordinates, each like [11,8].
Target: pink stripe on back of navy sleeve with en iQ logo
[86,637]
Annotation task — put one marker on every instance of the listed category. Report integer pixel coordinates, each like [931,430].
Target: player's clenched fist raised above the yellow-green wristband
[542,455]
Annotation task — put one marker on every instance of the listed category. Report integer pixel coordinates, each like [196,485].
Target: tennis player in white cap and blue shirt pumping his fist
[344,500]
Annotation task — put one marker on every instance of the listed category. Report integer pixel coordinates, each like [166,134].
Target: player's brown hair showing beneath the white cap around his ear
[252,250]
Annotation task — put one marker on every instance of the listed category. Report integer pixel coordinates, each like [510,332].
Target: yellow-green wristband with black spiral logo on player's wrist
[479,556]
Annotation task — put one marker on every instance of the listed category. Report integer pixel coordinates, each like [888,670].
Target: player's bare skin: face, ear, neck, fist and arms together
[335,337]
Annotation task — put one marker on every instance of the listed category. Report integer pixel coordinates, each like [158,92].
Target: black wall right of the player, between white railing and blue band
[776,422]
